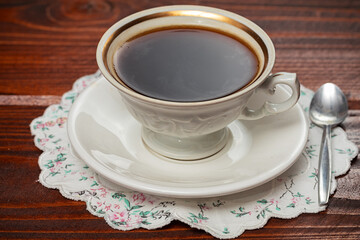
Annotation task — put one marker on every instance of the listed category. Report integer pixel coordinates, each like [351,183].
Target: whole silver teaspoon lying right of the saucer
[328,108]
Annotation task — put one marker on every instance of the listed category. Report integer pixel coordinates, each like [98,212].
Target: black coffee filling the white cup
[185,65]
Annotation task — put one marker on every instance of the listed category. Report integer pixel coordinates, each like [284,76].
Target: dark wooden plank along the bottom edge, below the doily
[303,227]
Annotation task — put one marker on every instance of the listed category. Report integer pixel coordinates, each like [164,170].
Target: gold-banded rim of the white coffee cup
[184,10]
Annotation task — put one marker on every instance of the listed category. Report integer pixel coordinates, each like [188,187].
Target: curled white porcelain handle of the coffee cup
[269,87]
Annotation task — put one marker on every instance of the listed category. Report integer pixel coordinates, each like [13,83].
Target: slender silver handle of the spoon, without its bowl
[325,166]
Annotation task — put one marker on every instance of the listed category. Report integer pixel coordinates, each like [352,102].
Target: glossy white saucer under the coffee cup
[108,139]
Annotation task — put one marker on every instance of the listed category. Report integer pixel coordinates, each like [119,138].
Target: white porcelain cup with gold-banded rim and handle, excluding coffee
[195,130]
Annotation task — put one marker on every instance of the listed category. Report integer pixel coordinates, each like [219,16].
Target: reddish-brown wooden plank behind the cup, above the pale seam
[45,45]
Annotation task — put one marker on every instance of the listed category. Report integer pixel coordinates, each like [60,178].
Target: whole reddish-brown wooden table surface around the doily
[46,45]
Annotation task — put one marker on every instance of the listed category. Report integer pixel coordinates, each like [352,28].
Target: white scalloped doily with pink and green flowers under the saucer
[292,193]
